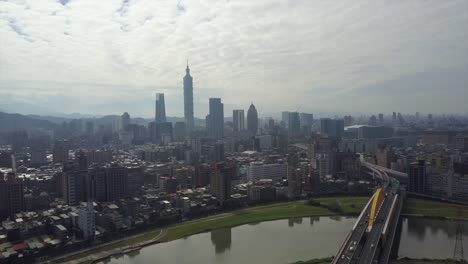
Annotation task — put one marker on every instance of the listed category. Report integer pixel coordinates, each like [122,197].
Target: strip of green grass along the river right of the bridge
[433,209]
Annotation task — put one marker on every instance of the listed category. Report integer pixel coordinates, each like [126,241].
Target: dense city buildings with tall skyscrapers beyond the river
[89,180]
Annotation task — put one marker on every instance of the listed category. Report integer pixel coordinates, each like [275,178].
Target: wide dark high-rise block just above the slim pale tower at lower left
[110,182]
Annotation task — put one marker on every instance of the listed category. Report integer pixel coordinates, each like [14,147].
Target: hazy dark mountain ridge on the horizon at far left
[11,122]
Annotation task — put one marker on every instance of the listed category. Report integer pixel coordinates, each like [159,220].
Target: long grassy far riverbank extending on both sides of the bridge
[348,206]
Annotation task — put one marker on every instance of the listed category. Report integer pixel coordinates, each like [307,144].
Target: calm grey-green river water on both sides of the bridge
[289,240]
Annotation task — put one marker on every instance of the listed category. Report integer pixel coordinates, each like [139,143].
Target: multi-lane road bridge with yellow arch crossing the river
[371,238]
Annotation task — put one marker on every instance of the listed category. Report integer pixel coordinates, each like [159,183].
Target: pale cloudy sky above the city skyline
[107,57]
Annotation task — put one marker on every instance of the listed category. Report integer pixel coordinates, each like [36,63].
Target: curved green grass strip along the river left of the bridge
[349,206]
